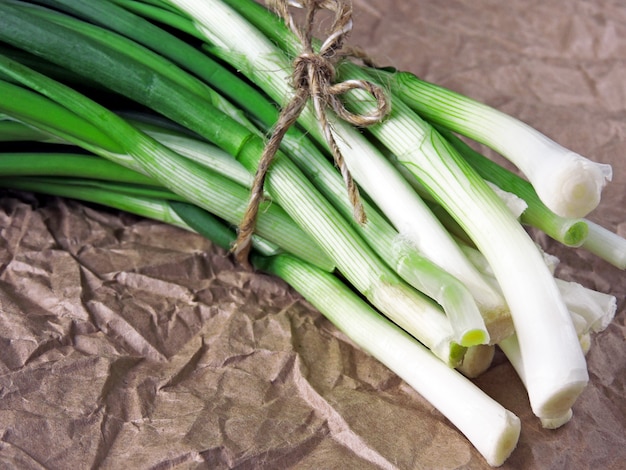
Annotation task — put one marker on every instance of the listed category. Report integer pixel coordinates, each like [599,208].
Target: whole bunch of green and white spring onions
[161,108]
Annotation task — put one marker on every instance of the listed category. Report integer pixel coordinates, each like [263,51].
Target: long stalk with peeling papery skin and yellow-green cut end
[415,269]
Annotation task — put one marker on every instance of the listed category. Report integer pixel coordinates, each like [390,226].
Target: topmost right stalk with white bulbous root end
[569,184]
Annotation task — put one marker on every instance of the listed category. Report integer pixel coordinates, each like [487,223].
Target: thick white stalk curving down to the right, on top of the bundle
[530,290]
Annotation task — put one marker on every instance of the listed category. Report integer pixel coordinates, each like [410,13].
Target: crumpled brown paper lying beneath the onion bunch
[129,344]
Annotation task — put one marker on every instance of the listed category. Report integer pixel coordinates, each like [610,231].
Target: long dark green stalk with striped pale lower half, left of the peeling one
[287,186]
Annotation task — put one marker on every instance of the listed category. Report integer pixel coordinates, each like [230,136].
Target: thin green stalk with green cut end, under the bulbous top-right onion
[567,230]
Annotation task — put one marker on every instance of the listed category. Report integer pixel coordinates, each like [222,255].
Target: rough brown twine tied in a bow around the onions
[313,78]
